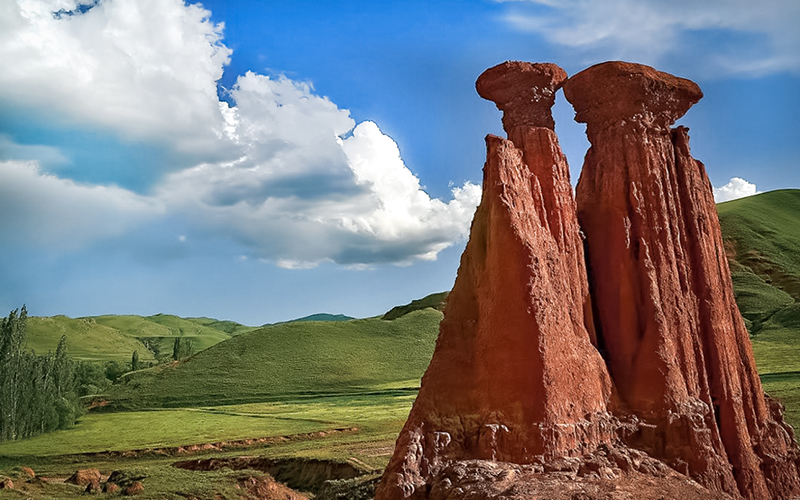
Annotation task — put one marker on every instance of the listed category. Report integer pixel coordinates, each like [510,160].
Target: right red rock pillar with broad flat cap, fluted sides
[676,346]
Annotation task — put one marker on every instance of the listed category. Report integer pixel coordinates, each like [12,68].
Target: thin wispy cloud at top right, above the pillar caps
[741,36]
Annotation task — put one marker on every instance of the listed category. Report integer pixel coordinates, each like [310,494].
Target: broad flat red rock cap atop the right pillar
[610,92]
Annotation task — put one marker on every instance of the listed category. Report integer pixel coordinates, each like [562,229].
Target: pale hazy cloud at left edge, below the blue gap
[38,209]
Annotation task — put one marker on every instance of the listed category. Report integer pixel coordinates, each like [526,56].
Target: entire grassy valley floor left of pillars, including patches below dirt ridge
[378,418]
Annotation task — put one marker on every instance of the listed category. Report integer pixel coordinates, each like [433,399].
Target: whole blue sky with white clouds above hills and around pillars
[262,161]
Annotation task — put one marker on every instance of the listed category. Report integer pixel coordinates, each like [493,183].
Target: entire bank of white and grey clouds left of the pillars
[300,181]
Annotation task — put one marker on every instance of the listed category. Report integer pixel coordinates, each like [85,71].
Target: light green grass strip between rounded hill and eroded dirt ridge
[98,432]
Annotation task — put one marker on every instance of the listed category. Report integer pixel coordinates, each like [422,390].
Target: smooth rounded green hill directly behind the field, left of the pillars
[290,359]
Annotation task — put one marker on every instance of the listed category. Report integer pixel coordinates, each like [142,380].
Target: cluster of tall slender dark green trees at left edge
[37,392]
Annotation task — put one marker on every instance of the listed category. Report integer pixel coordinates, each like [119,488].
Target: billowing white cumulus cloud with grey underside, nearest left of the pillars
[312,186]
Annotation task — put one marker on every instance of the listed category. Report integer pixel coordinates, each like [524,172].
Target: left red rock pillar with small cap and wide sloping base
[514,376]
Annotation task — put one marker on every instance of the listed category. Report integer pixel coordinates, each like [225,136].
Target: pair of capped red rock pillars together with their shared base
[626,372]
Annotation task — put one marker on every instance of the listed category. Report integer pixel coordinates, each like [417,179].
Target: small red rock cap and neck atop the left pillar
[523,91]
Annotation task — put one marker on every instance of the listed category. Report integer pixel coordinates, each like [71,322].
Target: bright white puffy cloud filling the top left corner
[144,68]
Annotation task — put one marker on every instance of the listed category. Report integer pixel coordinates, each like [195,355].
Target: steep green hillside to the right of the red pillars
[762,236]
